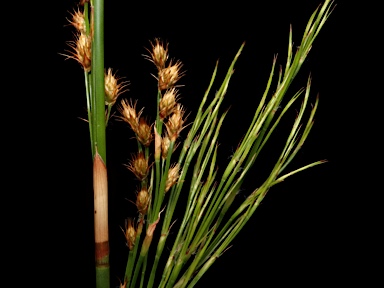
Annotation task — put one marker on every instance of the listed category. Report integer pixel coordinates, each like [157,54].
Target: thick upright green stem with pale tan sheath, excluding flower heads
[99,146]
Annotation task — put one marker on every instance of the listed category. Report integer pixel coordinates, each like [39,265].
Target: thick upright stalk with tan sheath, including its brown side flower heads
[102,89]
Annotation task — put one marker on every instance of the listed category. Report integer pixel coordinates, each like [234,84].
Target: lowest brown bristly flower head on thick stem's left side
[81,51]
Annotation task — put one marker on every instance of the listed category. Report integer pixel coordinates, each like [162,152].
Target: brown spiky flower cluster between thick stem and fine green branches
[170,116]
